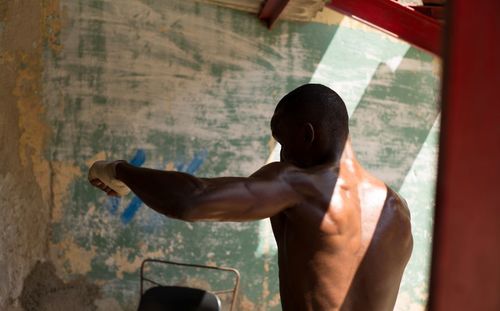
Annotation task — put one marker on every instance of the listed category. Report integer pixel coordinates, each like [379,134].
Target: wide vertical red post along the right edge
[466,255]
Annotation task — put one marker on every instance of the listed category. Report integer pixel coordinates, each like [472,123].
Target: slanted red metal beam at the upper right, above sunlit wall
[398,20]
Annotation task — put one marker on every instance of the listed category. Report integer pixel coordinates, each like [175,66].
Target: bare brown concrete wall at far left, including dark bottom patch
[27,277]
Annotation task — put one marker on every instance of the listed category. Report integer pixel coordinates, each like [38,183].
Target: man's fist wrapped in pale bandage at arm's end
[102,174]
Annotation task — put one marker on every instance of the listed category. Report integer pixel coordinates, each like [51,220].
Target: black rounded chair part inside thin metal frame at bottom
[173,298]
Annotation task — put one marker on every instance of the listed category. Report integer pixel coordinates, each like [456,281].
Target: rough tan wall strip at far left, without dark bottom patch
[24,203]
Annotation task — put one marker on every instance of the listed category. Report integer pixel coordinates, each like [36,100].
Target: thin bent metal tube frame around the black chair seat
[174,263]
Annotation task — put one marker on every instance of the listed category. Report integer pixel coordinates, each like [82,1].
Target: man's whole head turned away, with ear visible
[311,124]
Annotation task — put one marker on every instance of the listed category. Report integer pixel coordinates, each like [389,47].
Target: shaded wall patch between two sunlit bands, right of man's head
[394,117]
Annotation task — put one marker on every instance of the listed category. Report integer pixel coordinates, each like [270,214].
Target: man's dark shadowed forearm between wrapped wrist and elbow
[169,193]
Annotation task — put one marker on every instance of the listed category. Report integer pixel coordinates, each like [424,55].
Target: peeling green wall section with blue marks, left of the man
[168,84]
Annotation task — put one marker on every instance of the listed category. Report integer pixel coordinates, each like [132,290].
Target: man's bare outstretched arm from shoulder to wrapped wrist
[183,196]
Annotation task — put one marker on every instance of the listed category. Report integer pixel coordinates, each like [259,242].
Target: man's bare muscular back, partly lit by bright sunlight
[346,246]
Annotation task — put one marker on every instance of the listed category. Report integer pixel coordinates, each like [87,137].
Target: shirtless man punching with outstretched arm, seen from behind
[343,236]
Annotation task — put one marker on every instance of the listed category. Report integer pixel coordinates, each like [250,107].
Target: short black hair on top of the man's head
[320,106]
